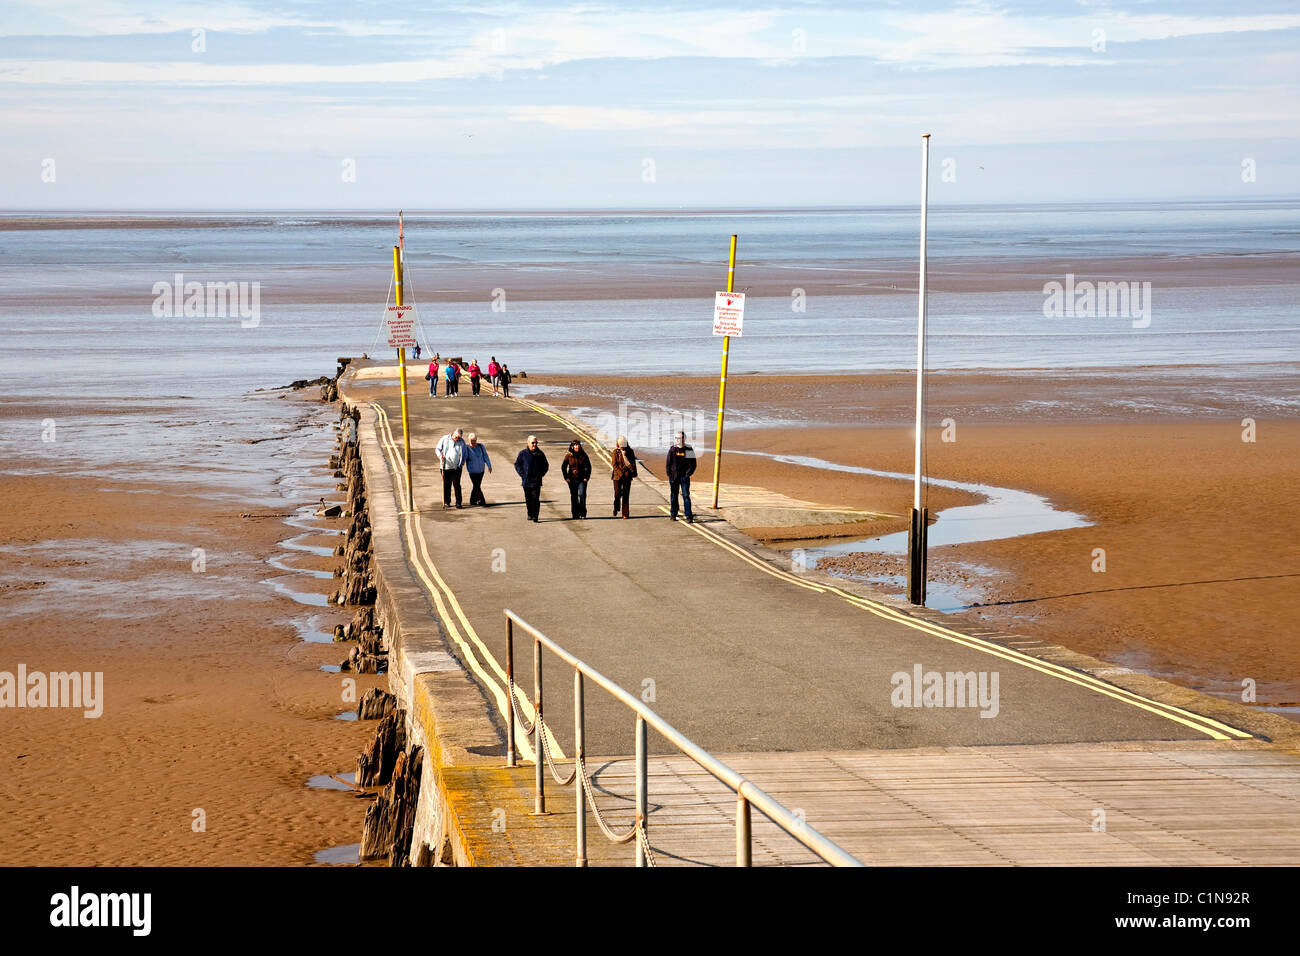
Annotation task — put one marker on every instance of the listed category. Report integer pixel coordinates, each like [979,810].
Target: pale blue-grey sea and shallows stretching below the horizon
[79,306]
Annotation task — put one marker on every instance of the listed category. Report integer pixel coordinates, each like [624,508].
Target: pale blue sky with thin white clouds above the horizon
[352,105]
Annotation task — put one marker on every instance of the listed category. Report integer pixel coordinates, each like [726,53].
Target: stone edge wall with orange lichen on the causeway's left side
[471,810]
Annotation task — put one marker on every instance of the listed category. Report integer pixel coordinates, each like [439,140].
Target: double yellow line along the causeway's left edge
[474,652]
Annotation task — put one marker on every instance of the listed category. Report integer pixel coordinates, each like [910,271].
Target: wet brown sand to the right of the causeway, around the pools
[1199,527]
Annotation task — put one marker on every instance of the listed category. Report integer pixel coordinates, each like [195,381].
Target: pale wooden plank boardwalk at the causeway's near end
[1073,806]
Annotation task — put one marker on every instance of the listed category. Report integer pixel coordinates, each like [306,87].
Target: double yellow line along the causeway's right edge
[1206,725]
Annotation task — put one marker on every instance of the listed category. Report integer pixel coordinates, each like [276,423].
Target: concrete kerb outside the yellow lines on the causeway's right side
[1272,729]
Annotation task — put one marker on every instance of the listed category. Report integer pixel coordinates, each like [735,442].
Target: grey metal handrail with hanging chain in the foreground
[747,793]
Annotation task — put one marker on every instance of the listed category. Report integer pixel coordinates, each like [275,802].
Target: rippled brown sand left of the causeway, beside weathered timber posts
[209,702]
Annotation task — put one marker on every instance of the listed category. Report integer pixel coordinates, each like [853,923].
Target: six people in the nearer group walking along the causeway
[457,455]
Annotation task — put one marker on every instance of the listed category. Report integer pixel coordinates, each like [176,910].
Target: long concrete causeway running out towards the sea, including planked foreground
[821,691]
